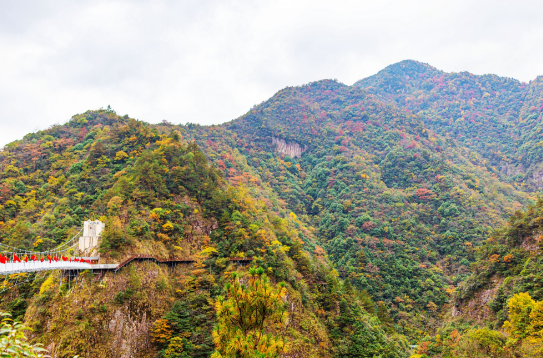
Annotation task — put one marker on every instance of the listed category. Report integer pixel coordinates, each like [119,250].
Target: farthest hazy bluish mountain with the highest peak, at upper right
[498,117]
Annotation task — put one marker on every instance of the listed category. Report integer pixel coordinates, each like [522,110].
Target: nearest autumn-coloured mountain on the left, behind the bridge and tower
[158,195]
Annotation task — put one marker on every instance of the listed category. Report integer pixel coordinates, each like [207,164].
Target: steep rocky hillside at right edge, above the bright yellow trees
[508,262]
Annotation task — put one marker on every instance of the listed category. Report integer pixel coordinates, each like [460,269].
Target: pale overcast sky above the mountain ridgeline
[211,61]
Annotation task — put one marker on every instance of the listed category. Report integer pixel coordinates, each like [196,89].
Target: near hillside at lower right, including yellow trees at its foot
[498,309]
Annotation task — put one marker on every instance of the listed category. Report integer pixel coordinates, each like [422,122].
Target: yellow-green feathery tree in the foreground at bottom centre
[251,321]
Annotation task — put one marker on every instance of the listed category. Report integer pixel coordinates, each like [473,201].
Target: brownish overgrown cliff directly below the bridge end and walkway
[110,318]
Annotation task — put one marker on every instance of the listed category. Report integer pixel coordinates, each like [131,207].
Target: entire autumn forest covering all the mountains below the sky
[397,217]
